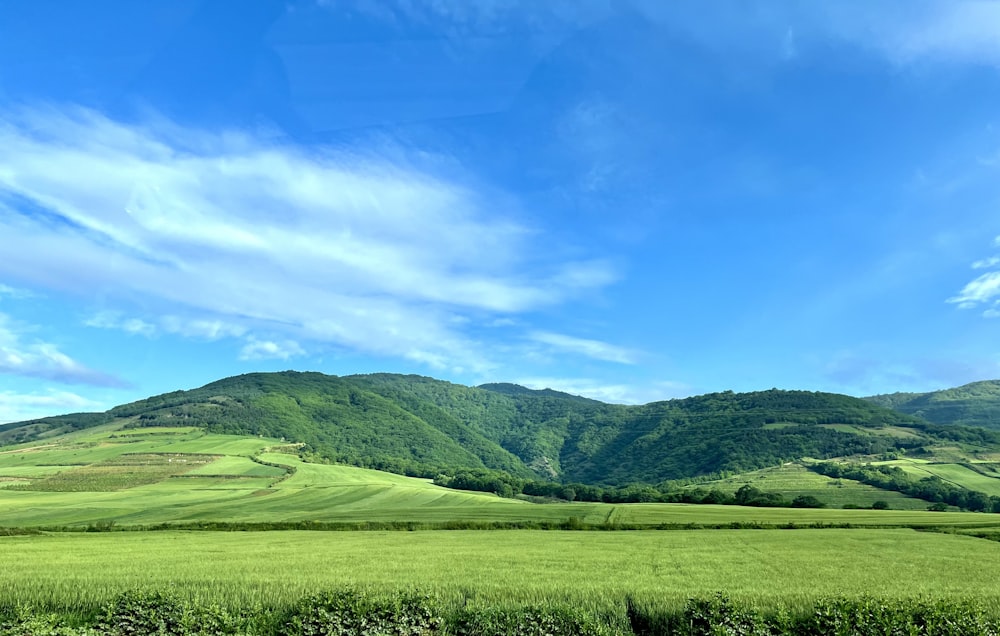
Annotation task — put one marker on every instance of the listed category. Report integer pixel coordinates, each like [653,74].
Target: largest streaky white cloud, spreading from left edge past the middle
[233,233]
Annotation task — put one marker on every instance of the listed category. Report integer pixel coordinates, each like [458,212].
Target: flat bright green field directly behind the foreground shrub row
[591,570]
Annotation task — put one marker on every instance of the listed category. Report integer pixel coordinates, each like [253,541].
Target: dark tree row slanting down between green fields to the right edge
[932,489]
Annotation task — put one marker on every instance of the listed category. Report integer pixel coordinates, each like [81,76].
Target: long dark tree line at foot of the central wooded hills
[506,485]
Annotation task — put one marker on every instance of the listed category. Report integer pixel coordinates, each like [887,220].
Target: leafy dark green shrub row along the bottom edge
[352,612]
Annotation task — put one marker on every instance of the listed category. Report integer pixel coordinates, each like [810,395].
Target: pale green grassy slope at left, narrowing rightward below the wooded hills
[235,489]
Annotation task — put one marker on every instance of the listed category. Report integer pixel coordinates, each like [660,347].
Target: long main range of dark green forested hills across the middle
[421,426]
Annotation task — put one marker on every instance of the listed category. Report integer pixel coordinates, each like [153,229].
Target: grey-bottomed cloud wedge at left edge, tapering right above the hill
[40,359]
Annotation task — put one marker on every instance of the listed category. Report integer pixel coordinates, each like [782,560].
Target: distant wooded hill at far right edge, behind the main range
[975,404]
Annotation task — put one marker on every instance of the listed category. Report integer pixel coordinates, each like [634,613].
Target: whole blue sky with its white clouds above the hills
[630,200]
